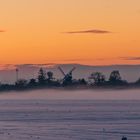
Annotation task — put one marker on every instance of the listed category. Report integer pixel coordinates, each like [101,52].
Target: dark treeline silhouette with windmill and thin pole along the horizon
[47,80]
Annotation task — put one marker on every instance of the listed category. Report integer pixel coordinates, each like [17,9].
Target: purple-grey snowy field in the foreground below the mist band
[34,119]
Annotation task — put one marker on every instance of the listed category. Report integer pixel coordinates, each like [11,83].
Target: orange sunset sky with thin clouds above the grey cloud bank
[95,32]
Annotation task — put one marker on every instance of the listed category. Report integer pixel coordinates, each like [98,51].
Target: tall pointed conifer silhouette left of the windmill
[42,77]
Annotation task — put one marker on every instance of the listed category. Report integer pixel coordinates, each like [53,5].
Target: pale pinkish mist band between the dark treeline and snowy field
[73,95]
